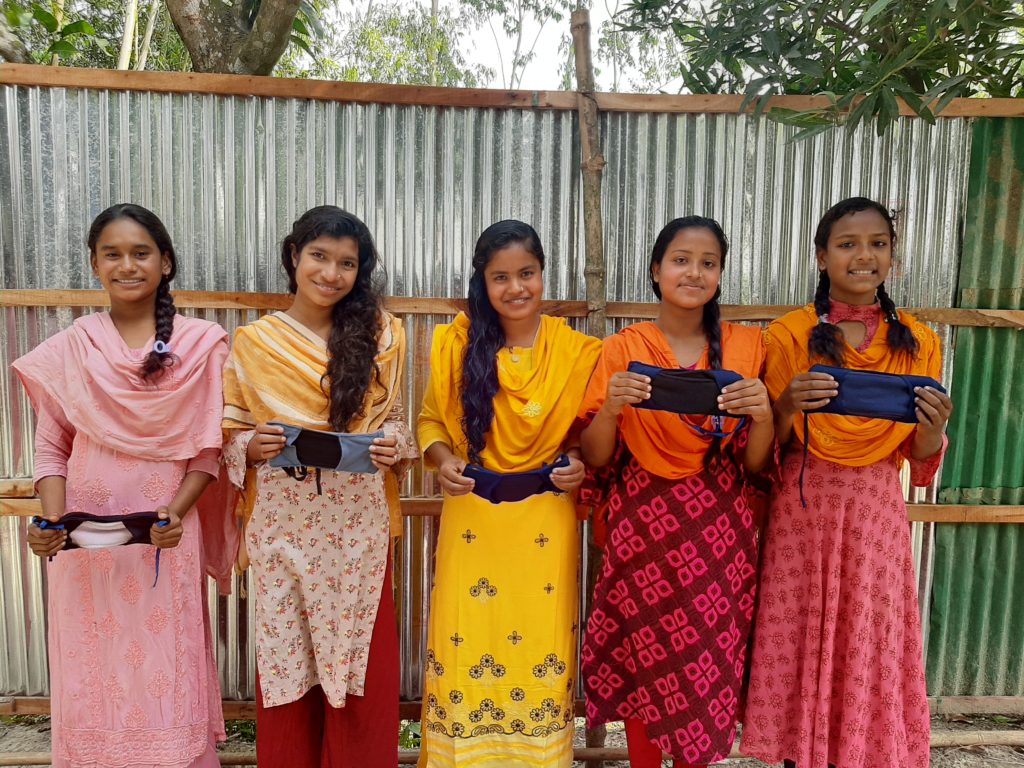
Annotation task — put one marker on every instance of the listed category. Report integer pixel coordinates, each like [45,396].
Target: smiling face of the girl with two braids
[859,257]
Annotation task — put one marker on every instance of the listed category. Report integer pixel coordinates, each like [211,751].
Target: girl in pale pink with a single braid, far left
[129,408]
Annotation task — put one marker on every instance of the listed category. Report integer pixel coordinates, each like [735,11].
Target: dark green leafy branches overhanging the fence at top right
[863,55]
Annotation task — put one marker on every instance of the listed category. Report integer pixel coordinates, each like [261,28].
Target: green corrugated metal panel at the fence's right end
[976,638]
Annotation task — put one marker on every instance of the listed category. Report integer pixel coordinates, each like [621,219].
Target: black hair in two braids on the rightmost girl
[827,338]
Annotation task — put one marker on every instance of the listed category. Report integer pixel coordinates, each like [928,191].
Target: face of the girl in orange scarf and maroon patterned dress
[691,270]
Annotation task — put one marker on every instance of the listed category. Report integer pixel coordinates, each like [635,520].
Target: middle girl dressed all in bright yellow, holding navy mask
[505,386]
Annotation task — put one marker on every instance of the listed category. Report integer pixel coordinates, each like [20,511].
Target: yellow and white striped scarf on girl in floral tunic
[275,373]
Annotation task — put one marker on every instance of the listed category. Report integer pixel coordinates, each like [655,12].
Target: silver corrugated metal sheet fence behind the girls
[229,175]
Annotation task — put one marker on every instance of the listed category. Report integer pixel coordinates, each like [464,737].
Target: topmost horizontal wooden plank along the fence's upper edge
[329,91]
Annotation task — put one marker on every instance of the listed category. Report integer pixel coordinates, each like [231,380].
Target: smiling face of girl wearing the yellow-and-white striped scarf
[326,270]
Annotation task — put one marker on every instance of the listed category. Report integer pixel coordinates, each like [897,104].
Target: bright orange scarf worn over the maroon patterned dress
[659,441]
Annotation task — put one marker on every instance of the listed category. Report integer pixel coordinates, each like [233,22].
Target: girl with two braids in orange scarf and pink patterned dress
[837,668]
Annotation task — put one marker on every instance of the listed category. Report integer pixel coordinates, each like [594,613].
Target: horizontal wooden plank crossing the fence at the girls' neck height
[448,307]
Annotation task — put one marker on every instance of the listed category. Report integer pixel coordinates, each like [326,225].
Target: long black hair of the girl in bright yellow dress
[480,365]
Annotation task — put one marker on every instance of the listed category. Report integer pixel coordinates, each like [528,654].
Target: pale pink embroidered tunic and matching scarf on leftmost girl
[133,676]
